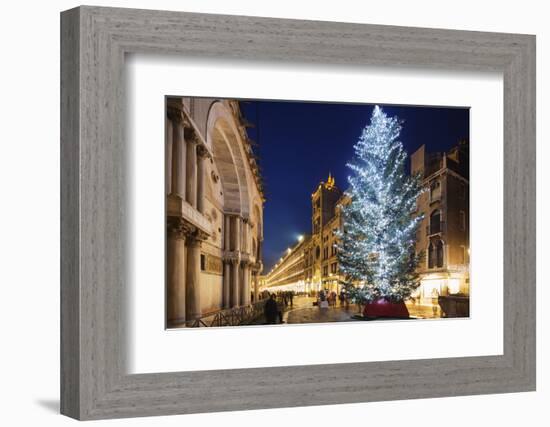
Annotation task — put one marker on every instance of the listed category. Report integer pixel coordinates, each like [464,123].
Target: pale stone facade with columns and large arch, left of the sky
[214,210]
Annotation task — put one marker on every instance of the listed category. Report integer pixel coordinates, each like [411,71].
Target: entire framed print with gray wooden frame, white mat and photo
[362,196]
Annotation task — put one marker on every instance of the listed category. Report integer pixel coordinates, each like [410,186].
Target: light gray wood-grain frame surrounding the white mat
[94,41]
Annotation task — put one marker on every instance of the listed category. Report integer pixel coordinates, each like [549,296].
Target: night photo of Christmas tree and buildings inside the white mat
[299,212]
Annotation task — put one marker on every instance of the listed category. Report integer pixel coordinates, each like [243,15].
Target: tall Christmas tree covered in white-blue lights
[377,250]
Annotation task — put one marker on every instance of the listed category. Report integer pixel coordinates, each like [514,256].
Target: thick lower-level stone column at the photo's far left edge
[175,276]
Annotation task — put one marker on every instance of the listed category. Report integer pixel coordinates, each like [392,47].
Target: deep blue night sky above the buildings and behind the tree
[299,143]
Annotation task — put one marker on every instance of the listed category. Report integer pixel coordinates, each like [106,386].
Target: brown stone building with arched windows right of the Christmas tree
[444,233]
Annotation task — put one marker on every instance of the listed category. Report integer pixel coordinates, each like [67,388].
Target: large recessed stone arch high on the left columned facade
[223,138]
